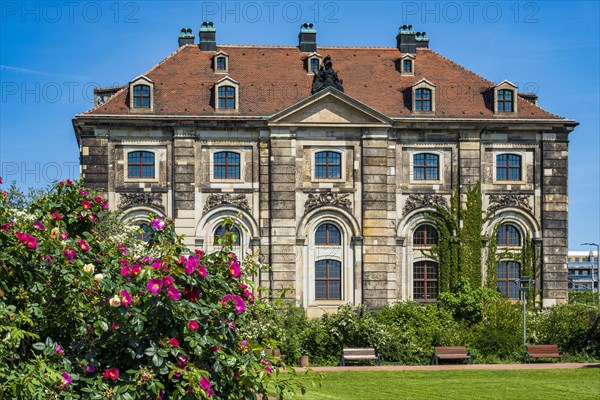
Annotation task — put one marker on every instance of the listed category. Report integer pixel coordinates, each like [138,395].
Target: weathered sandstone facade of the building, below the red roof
[376,201]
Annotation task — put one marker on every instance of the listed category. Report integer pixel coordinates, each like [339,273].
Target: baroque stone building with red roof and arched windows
[328,158]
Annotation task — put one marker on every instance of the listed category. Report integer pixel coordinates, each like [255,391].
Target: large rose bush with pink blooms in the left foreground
[98,315]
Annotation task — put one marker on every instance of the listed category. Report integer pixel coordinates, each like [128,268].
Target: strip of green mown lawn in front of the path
[460,385]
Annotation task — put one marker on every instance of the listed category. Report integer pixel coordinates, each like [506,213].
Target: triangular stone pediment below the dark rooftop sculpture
[329,107]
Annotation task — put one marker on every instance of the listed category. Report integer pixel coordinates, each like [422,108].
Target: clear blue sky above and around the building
[52,54]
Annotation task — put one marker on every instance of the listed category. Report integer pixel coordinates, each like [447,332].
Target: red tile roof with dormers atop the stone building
[273,78]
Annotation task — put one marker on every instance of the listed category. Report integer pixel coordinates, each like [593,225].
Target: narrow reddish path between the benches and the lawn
[554,365]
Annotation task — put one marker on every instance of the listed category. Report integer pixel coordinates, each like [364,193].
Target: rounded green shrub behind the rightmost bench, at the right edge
[575,328]
